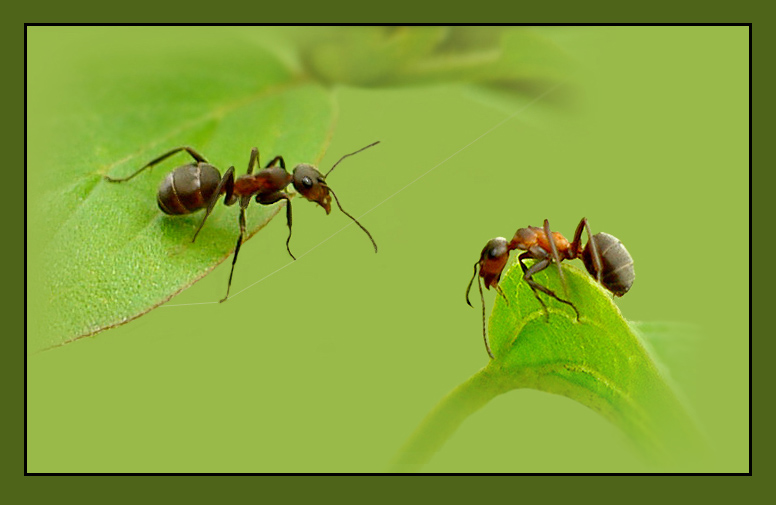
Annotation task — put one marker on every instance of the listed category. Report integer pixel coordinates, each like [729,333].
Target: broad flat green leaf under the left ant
[108,254]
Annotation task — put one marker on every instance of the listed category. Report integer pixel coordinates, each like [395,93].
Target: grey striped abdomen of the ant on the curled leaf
[617,273]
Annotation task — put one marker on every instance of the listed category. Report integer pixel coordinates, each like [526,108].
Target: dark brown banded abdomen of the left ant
[188,188]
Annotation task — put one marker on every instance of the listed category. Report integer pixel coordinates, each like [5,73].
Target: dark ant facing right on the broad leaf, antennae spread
[199,185]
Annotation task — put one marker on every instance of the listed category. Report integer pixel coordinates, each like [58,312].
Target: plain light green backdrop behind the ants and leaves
[329,364]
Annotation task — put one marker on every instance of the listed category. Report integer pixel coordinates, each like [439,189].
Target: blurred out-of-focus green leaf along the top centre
[509,58]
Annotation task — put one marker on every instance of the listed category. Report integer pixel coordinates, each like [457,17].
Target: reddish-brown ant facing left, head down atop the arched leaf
[604,256]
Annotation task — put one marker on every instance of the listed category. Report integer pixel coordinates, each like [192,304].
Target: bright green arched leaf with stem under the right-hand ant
[598,361]
